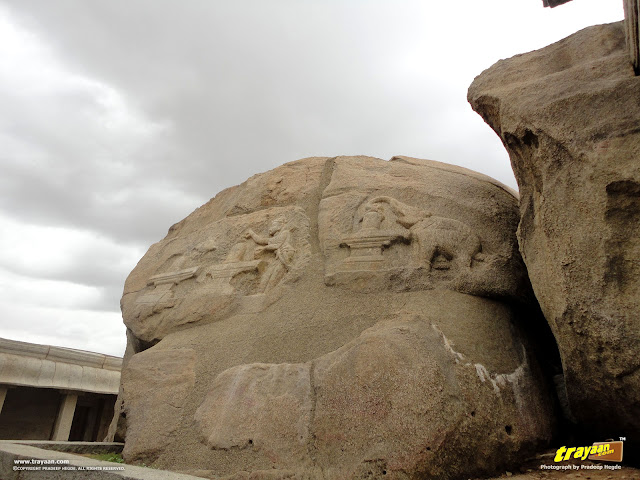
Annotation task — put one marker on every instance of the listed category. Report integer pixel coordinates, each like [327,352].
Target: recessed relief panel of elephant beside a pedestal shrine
[405,244]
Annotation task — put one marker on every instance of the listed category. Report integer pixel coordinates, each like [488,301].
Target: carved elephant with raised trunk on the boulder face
[435,237]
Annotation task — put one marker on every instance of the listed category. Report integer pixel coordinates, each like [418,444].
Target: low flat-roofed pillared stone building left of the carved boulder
[55,393]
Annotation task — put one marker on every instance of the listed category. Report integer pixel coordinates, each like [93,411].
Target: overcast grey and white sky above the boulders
[120,117]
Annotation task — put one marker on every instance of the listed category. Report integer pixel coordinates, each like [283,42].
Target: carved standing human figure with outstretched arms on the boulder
[278,242]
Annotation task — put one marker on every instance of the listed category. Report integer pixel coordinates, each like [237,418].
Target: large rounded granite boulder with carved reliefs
[337,318]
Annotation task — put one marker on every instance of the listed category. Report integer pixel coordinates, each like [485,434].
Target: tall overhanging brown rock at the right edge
[569,116]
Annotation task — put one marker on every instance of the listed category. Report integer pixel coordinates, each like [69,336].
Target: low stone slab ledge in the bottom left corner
[10,452]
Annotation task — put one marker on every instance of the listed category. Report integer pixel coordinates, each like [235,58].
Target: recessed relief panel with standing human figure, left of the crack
[267,258]
